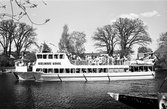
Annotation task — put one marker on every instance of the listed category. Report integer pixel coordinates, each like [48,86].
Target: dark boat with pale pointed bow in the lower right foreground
[137,100]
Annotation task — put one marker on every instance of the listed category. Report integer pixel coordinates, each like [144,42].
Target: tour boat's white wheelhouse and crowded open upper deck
[60,59]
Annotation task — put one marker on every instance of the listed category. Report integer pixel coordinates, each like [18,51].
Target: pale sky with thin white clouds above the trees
[87,15]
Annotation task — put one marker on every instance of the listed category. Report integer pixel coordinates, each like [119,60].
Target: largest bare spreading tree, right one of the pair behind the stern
[131,32]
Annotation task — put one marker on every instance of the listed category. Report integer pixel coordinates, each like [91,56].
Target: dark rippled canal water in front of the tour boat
[16,94]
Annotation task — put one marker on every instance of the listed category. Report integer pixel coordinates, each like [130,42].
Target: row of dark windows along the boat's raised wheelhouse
[50,56]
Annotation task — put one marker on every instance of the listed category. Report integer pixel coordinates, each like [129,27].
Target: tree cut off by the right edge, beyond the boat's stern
[161,52]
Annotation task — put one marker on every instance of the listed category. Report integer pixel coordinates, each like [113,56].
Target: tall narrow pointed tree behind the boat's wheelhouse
[64,44]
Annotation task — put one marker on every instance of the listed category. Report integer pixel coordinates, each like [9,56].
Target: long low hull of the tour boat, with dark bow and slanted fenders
[84,76]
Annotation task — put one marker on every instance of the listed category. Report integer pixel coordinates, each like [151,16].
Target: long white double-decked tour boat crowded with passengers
[58,67]
